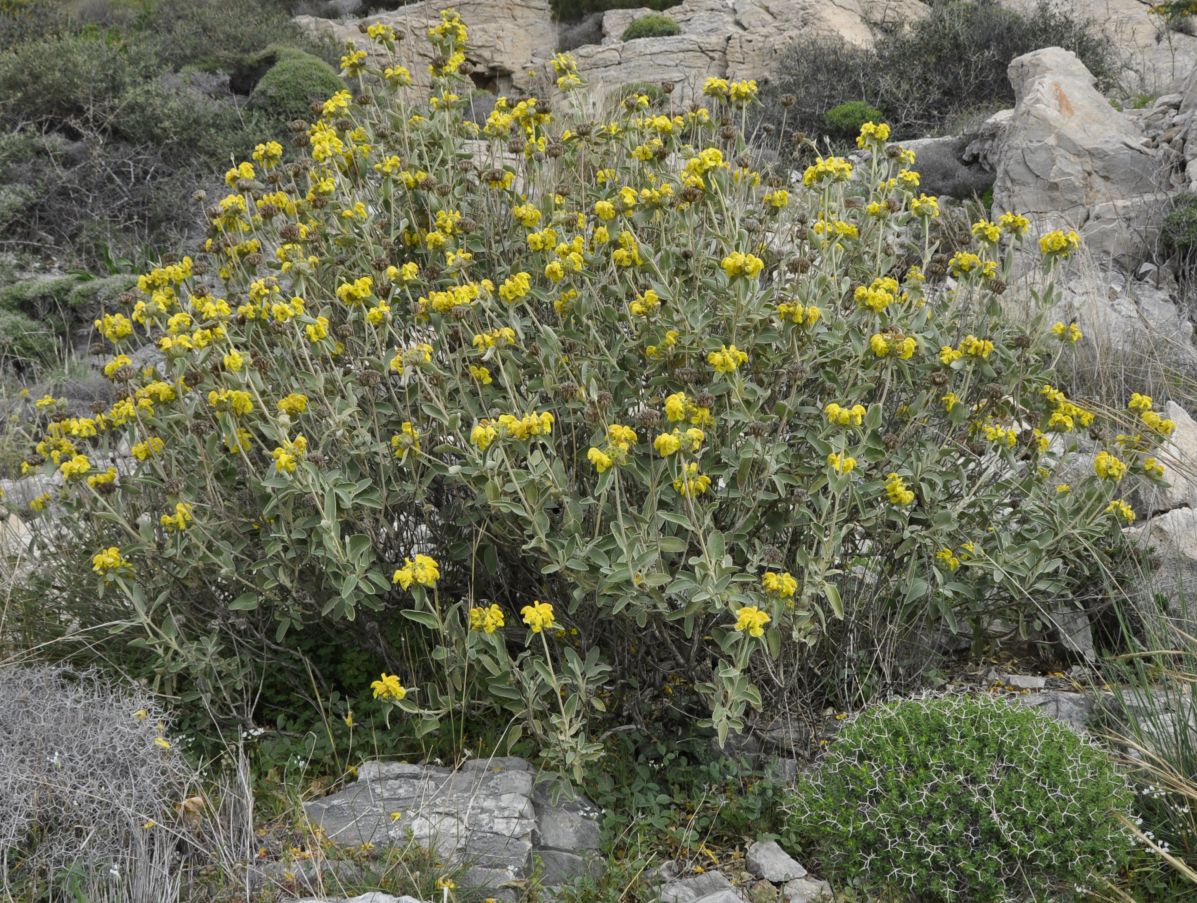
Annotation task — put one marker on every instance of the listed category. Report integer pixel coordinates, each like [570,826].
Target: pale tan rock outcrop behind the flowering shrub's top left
[507,38]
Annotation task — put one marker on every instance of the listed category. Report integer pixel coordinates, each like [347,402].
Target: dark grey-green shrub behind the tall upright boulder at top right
[926,75]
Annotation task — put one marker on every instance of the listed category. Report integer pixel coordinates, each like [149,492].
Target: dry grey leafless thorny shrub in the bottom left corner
[87,777]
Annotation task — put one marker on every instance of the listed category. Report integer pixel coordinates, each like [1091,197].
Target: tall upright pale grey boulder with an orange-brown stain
[1070,160]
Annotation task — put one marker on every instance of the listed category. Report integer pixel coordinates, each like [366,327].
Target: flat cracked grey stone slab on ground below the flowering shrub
[490,815]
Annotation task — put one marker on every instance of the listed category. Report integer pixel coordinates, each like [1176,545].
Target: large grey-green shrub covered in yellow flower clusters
[591,396]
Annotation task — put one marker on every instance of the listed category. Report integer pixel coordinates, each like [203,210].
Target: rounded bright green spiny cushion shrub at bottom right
[964,798]
